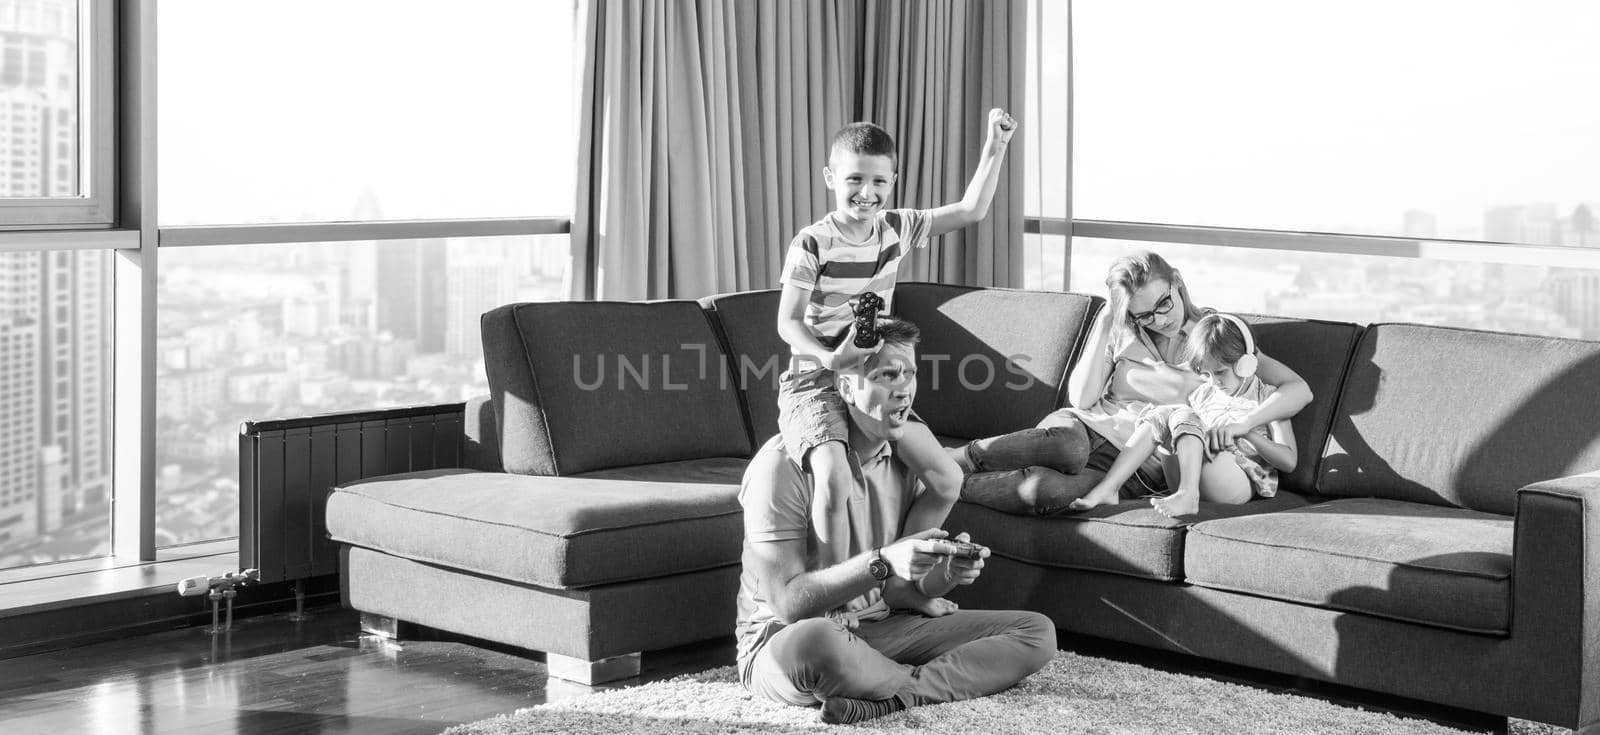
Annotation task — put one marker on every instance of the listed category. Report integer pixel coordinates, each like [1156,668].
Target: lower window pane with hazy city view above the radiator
[252,332]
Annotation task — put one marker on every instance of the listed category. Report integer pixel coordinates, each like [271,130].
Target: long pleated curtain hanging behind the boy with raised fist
[705,131]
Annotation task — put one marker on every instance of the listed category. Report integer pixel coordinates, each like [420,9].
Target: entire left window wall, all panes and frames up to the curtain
[343,190]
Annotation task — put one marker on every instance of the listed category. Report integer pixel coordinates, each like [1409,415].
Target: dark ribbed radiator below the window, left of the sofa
[289,467]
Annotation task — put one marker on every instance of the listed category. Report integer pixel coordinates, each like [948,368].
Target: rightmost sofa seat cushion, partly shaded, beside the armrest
[1407,561]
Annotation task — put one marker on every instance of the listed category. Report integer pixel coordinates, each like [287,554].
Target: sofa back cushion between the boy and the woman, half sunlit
[993,359]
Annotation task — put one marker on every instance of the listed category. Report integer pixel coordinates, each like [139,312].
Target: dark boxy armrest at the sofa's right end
[1556,590]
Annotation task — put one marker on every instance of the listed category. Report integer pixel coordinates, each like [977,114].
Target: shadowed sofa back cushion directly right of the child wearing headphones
[1318,351]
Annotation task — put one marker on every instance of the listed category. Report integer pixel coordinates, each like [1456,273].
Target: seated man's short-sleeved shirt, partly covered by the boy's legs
[777,499]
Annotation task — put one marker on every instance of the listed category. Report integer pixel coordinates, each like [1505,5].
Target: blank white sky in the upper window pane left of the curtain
[290,110]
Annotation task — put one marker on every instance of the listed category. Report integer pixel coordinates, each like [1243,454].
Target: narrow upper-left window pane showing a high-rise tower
[55,113]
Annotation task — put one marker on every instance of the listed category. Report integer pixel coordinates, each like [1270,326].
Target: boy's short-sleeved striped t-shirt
[836,271]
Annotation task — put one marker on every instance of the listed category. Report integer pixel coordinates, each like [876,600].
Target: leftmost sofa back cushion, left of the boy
[594,385]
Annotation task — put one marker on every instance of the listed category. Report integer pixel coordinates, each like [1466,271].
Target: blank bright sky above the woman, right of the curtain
[1298,114]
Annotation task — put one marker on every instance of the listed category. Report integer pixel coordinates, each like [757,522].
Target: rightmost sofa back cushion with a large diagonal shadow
[1462,417]
